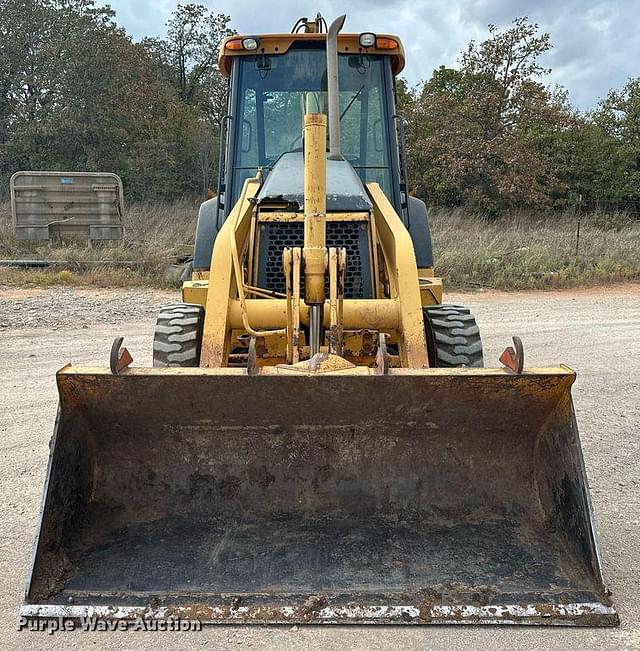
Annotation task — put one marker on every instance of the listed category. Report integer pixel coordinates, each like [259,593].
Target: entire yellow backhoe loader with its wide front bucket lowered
[318,440]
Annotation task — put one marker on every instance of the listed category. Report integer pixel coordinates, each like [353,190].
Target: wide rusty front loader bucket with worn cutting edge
[435,496]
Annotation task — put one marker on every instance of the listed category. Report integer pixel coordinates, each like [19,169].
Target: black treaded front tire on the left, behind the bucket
[177,338]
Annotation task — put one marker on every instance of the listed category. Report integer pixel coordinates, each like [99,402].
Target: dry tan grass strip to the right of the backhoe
[525,251]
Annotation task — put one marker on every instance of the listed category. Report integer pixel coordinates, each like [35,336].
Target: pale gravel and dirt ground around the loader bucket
[596,332]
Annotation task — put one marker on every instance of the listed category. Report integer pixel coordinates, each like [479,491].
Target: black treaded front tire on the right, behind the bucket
[453,337]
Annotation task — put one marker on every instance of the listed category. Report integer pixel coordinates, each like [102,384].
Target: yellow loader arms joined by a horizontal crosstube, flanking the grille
[227,313]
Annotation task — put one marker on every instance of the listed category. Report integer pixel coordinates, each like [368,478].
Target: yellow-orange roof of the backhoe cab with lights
[274,44]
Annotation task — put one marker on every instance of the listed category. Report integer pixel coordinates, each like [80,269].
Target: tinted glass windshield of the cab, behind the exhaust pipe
[275,92]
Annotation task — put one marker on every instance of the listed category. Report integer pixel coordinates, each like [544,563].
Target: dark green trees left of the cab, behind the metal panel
[76,93]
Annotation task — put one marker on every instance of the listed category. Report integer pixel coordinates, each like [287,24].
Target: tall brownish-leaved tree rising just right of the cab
[475,129]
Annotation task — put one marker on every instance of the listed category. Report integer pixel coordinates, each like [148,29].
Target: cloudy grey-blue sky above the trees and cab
[596,42]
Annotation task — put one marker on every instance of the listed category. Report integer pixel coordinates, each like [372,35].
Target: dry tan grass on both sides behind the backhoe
[522,251]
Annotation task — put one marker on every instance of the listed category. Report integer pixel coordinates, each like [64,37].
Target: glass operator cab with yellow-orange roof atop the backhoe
[276,79]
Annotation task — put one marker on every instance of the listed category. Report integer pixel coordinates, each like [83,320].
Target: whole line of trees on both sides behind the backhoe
[77,93]
